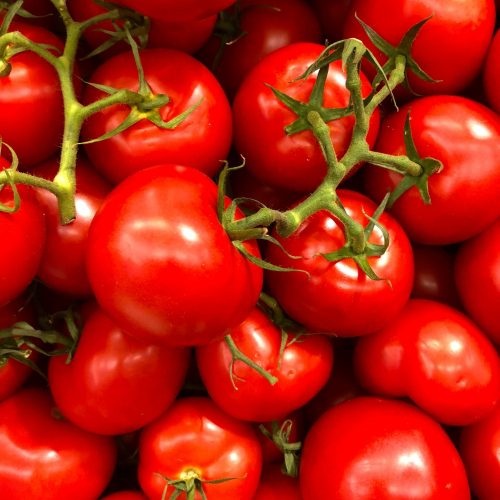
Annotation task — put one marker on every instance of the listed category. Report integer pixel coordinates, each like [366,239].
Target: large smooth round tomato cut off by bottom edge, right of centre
[370,448]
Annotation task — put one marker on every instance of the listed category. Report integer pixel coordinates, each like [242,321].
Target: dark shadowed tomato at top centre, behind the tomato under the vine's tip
[265,27]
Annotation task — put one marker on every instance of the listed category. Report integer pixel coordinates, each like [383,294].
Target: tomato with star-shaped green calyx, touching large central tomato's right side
[337,297]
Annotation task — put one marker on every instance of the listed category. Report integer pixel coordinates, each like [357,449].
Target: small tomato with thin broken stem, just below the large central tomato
[240,391]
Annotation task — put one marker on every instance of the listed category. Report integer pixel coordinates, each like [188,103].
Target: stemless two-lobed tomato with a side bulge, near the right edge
[437,357]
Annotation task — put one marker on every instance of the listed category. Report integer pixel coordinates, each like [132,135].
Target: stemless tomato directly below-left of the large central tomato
[115,384]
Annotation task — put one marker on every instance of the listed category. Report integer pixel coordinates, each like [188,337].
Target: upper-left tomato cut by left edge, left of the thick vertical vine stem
[31,107]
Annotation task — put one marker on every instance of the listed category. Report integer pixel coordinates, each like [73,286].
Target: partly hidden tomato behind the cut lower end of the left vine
[62,267]
